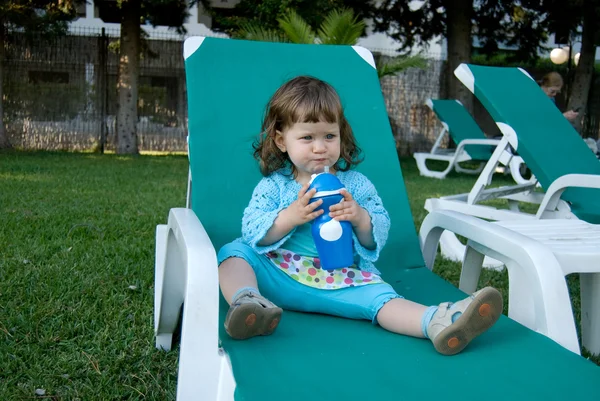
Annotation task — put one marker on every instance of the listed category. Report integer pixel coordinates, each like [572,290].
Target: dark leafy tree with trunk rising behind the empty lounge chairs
[493,22]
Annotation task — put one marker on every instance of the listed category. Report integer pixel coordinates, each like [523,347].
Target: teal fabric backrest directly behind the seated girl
[229,83]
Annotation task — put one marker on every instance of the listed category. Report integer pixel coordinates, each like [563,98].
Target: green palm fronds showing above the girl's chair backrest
[340,27]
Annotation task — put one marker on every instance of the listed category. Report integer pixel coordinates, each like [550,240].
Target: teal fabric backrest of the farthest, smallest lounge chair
[461,126]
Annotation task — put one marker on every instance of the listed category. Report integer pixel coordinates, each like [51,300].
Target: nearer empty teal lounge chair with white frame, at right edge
[568,217]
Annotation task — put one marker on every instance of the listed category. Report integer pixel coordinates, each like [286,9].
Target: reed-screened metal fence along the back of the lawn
[60,94]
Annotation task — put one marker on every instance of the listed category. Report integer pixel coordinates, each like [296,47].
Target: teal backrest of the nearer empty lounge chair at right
[544,138]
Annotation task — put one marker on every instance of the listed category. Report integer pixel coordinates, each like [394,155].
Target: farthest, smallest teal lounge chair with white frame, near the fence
[471,144]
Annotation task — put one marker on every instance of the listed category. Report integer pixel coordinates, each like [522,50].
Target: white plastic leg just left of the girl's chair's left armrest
[168,288]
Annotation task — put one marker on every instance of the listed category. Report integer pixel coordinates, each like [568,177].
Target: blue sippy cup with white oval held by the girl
[333,238]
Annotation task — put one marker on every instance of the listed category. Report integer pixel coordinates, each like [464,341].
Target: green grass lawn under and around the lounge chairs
[77,271]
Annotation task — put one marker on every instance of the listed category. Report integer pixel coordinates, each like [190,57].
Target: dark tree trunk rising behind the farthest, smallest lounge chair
[458,36]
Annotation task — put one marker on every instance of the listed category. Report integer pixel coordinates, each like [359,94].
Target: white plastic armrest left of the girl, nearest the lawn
[191,255]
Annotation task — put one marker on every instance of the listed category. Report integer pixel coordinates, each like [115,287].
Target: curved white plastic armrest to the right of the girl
[531,265]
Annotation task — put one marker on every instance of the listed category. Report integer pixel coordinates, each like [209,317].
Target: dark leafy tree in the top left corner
[47,16]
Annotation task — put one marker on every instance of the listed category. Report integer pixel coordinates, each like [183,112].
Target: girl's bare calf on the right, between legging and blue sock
[402,316]
